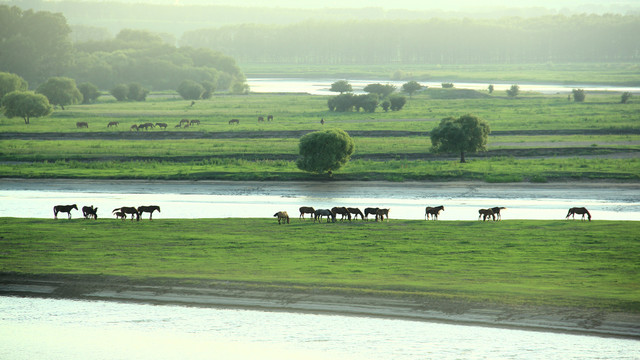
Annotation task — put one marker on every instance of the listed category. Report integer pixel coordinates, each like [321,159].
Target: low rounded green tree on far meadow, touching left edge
[25,104]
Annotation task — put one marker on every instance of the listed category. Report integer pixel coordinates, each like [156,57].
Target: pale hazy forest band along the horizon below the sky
[579,38]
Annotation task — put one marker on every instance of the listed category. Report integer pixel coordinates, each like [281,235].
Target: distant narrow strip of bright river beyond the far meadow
[322,86]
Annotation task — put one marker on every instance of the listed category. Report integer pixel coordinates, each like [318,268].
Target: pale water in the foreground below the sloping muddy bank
[33,328]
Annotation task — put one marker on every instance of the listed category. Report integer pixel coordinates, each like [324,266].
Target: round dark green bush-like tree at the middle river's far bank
[325,151]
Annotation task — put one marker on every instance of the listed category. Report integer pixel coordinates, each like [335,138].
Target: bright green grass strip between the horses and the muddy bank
[556,263]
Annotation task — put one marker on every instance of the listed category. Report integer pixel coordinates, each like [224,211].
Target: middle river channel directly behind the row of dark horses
[221,199]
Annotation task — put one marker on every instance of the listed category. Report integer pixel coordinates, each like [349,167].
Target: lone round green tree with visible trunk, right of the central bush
[464,134]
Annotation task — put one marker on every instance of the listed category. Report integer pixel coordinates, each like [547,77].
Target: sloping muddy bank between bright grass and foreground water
[268,297]
